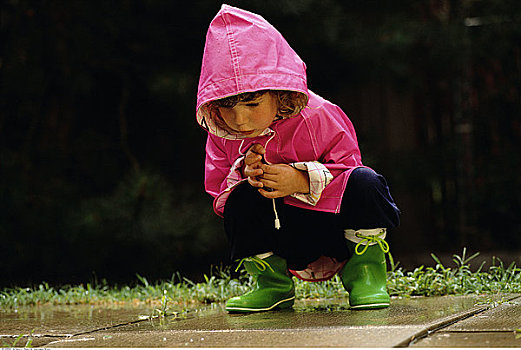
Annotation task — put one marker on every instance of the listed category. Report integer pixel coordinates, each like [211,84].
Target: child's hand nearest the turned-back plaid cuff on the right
[283,179]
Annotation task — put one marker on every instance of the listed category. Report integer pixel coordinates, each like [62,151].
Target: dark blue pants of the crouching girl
[306,235]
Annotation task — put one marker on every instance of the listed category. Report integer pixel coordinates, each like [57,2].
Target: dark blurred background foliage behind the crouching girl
[101,161]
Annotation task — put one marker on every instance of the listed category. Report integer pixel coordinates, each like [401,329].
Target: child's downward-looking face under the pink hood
[251,118]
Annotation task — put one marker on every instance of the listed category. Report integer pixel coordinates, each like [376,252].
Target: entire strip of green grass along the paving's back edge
[220,285]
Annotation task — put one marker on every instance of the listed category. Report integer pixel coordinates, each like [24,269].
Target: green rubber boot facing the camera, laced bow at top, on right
[364,276]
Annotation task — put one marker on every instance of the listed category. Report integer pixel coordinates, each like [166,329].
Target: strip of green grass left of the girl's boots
[179,290]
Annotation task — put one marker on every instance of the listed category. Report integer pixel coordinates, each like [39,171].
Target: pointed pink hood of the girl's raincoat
[244,53]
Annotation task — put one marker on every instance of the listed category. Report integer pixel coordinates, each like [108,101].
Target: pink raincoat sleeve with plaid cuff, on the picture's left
[220,172]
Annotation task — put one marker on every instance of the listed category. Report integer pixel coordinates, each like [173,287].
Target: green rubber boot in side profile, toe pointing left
[273,289]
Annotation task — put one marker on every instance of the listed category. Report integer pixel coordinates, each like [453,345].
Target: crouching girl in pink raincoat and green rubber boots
[284,167]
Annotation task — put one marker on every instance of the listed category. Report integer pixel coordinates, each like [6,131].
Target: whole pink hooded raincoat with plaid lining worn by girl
[244,53]
